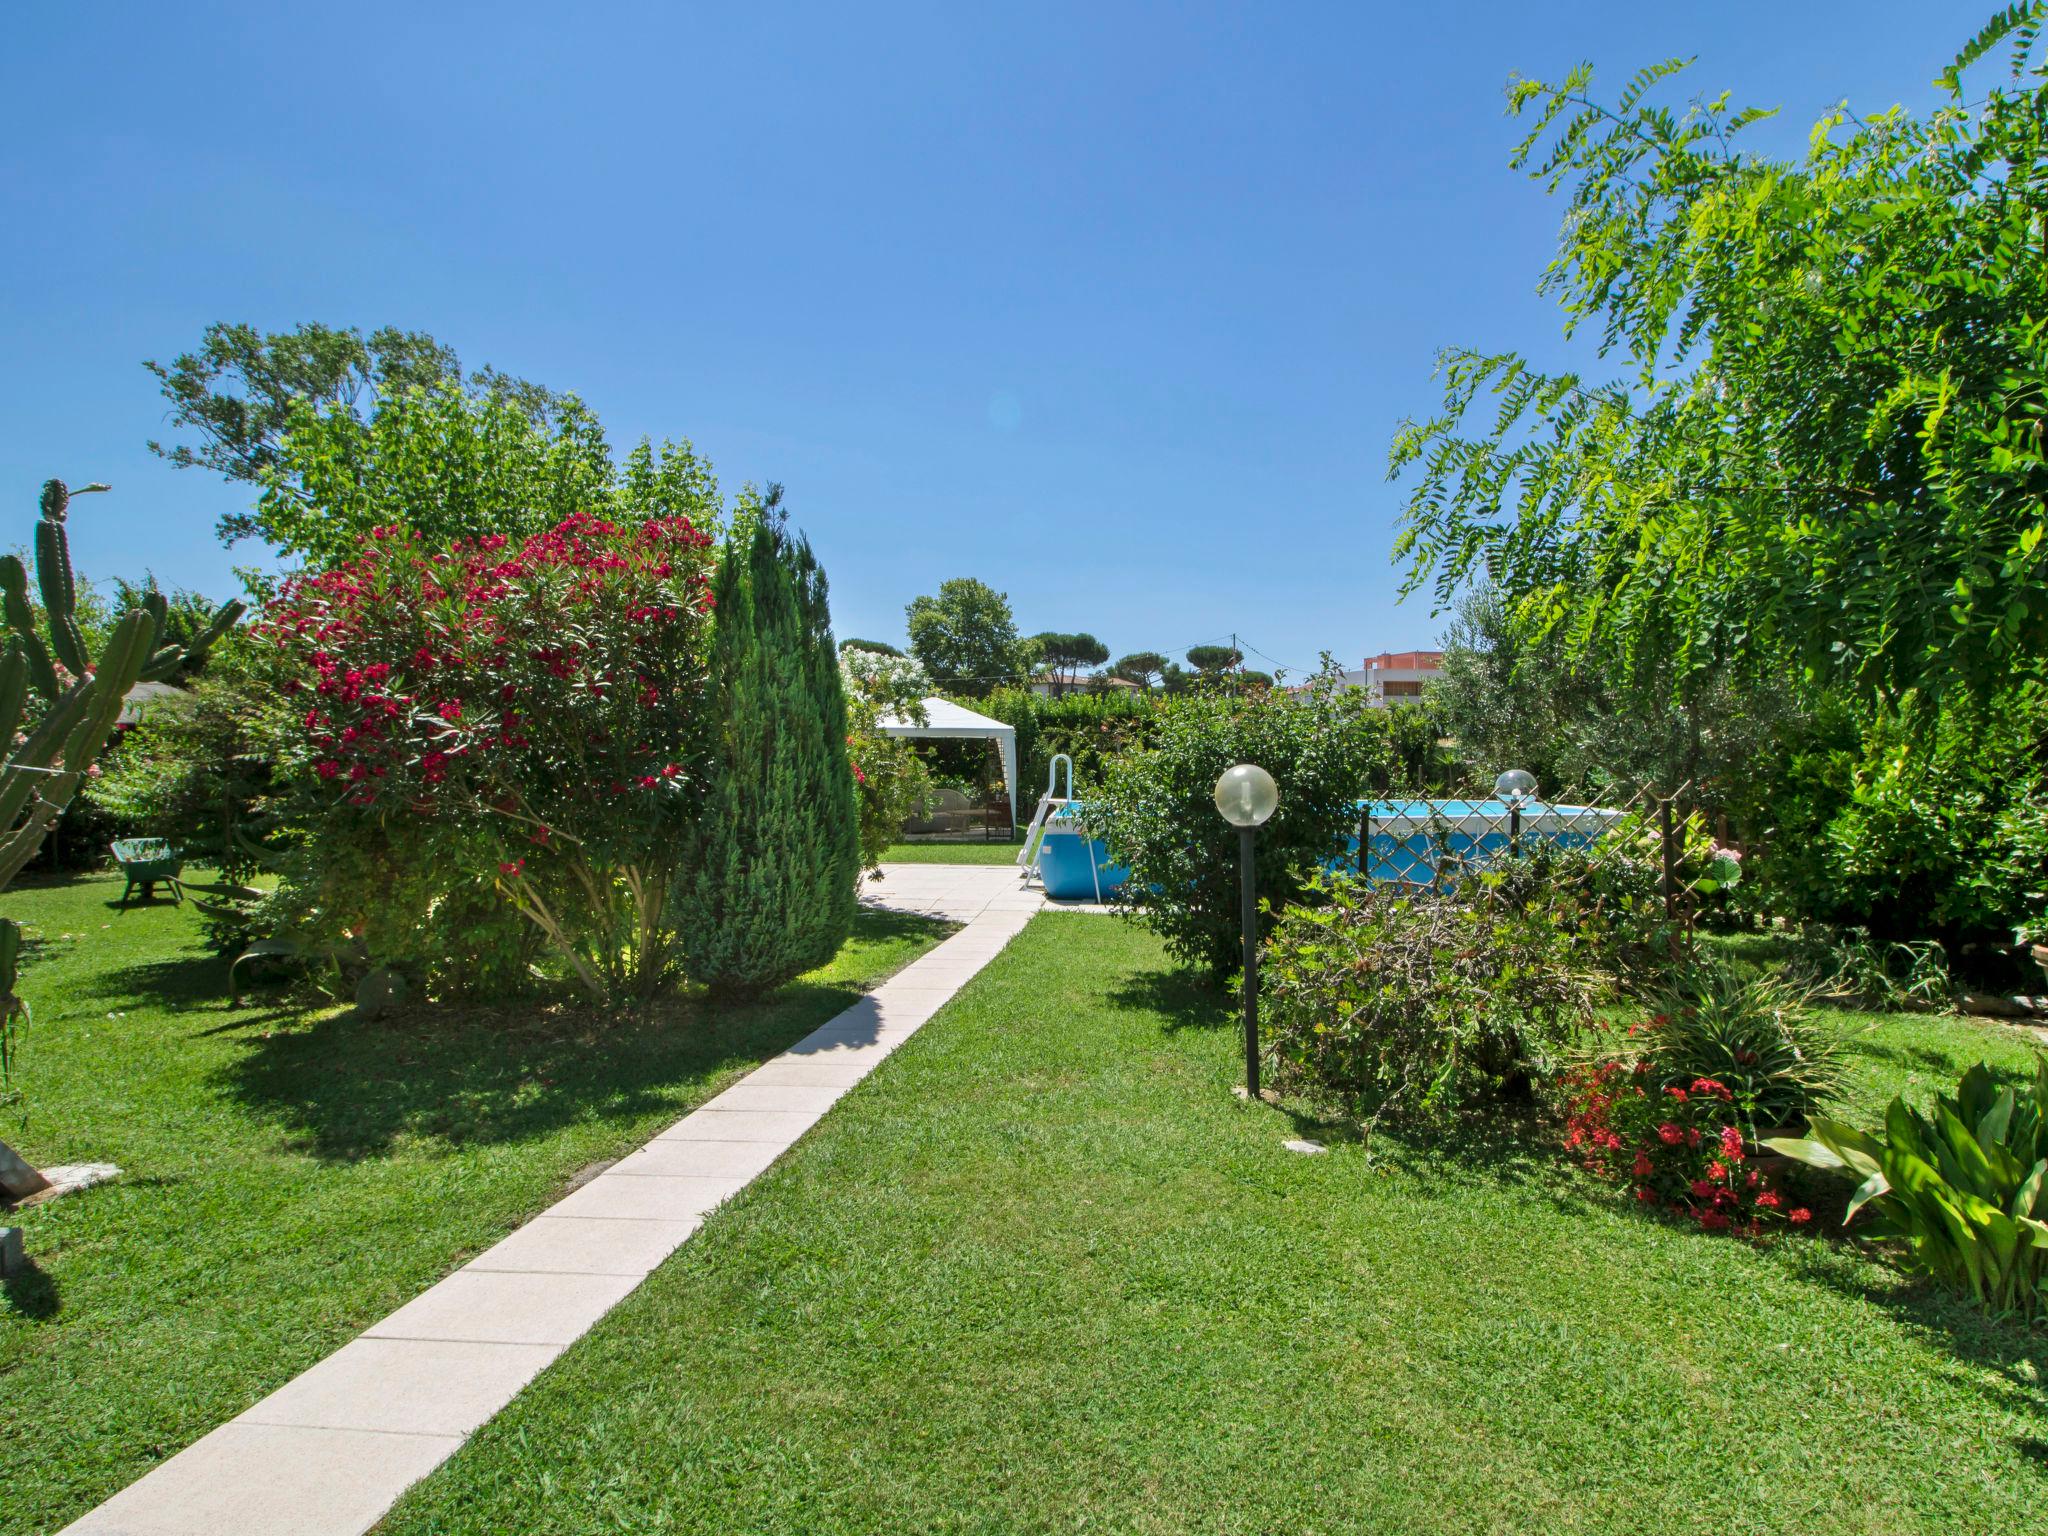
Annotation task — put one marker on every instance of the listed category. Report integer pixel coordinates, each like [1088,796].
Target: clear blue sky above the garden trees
[1111,306]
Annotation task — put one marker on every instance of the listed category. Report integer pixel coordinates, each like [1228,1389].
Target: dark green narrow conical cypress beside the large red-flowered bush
[773,863]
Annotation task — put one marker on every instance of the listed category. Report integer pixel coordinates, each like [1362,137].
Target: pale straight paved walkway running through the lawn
[331,1453]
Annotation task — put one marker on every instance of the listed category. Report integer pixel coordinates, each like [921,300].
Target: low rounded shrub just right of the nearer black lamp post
[1422,1002]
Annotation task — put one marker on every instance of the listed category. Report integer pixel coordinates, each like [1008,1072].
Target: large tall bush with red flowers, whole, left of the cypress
[546,706]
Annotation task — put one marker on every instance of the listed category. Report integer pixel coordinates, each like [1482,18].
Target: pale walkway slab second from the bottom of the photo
[417,1388]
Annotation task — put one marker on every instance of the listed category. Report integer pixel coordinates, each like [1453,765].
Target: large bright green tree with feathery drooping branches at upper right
[1820,437]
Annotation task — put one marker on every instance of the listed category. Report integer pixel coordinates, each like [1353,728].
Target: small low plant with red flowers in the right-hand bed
[1678,1148]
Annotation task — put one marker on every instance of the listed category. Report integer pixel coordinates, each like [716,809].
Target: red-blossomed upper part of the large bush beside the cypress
[419,663]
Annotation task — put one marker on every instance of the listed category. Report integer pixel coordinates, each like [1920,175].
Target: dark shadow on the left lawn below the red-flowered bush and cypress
[349,1089]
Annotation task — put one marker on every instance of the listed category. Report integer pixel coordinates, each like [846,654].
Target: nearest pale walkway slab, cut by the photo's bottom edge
[265,1480]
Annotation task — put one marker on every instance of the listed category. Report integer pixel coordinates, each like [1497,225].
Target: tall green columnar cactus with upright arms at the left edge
[75,714]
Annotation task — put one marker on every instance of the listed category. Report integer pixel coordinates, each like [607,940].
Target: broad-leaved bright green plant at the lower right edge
[1963,1189]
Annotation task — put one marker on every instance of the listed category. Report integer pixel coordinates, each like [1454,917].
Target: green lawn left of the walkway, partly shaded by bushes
[292,1177]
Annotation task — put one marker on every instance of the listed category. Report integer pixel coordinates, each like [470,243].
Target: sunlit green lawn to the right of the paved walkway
[1043,1273]
